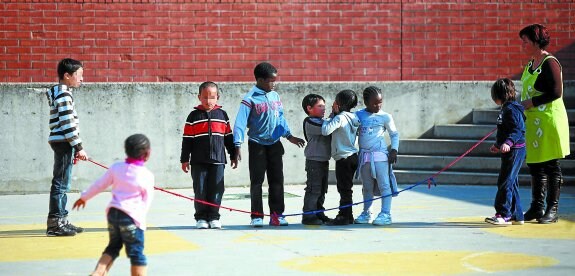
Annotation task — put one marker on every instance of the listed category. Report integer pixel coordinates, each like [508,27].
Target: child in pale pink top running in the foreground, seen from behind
[132,193]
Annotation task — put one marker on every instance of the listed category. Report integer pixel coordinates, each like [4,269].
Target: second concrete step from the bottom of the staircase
[467,164]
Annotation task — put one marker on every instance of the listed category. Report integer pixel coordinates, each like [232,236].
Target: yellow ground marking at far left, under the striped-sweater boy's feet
[29,243]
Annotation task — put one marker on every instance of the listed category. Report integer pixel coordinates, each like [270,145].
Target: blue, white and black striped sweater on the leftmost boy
[64,121]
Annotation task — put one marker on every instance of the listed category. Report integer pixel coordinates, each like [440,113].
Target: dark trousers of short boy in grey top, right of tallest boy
[316,186]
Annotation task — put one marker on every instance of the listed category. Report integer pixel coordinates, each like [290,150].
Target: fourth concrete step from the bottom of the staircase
[470,131]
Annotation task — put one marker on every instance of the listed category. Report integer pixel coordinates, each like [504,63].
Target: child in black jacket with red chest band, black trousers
[206,133]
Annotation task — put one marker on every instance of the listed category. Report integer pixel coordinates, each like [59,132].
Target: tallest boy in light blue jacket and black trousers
[261,111]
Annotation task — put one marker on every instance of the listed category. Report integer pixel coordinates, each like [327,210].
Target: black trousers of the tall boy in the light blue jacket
[266,161]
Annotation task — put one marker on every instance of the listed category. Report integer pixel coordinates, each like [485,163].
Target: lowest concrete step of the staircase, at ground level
[464,178]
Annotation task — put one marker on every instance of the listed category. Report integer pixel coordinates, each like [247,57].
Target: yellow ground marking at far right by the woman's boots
[564,229]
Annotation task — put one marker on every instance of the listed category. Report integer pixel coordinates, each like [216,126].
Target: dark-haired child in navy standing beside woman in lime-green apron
[510,141]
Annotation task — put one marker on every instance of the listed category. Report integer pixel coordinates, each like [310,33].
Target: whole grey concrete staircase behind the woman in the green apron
[421,158]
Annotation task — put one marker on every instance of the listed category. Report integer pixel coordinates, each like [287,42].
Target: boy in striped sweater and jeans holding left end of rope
[65,141]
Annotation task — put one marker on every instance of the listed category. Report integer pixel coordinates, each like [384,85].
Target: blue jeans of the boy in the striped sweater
[61,179]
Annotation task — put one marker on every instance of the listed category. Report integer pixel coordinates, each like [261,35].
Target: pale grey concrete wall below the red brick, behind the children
[109,112]
